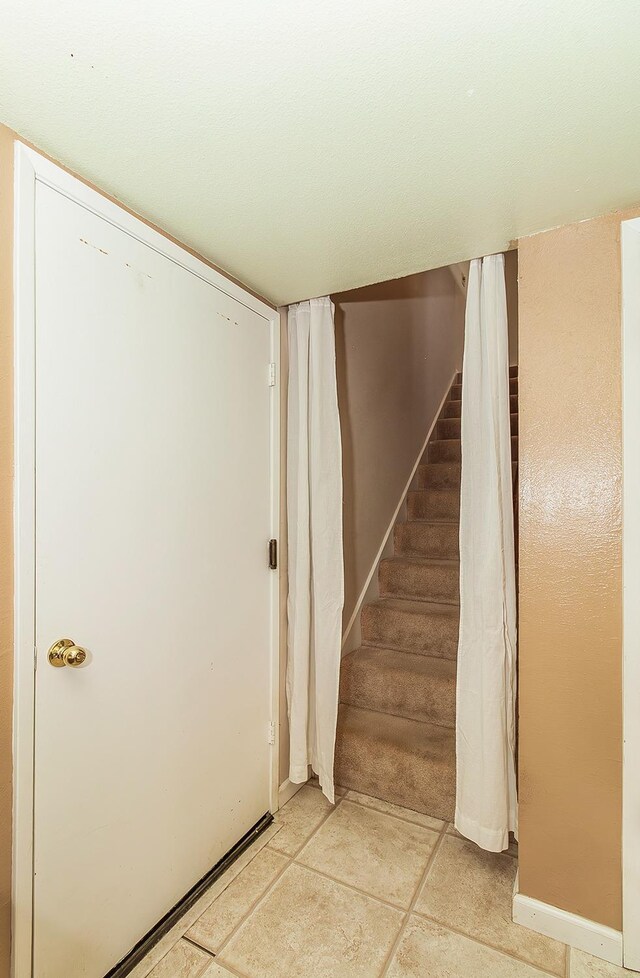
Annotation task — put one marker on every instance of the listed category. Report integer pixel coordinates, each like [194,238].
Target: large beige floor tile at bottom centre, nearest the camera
[310,927]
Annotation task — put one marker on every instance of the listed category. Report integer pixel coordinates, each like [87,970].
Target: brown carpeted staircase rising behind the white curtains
[396,724]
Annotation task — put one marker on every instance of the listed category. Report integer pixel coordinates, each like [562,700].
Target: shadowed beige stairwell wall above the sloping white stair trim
[397,346]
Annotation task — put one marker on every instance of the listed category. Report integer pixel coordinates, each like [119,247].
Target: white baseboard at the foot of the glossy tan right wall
[586,935]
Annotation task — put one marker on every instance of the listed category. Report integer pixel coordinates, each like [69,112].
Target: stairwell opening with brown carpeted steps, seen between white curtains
[398,358]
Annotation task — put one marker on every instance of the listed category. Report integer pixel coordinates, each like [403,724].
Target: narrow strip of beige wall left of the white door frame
[6,536]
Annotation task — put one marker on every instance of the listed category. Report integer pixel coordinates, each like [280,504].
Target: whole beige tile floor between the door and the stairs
[362,889]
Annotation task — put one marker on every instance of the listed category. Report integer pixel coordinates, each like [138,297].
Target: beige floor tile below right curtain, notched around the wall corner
[472,890]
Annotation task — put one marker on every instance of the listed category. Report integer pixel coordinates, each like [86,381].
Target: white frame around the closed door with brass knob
[31,168]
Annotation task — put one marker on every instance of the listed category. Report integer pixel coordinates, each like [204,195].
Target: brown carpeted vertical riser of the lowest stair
[363,765]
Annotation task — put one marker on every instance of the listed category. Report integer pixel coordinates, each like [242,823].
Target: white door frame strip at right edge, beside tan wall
[630,242]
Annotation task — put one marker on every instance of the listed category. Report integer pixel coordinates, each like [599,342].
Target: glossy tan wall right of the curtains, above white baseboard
[570,568]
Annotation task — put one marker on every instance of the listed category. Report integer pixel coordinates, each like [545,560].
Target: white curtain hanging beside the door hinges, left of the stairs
[314,520]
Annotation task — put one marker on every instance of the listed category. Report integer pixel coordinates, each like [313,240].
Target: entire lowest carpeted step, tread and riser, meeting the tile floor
[406,762]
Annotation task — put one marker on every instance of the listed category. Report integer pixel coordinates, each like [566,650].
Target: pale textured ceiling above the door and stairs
[313,147]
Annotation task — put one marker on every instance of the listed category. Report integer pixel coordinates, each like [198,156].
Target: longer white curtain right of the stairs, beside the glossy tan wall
[486,804]
